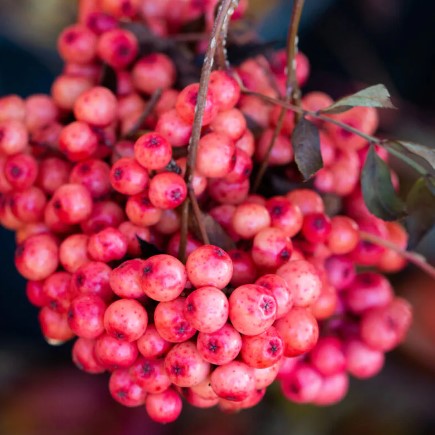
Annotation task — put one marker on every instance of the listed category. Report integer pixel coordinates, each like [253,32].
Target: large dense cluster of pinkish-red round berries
[86,180]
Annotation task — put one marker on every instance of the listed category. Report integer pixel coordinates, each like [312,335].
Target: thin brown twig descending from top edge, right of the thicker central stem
[293,94]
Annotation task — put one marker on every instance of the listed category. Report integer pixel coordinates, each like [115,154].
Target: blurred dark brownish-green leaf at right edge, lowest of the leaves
[421,207]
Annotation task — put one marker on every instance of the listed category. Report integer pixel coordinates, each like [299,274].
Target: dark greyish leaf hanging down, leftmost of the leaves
[306,147]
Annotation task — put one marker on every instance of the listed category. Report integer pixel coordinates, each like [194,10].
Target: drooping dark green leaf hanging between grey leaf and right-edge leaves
[378,191]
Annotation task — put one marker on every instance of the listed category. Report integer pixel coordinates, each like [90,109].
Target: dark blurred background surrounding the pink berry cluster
[349,43]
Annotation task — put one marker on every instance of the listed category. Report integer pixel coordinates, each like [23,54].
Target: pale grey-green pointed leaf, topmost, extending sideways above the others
[373,96]
